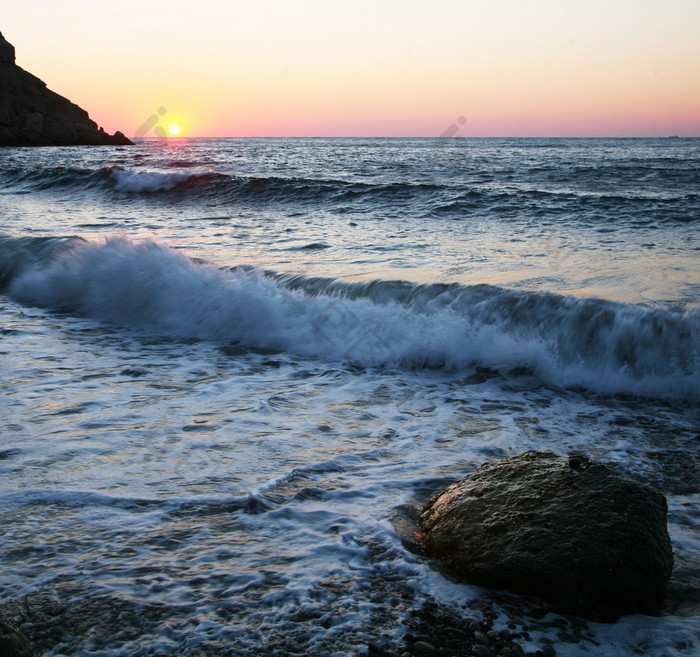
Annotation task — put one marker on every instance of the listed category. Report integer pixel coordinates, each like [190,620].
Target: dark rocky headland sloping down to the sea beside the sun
[32,115]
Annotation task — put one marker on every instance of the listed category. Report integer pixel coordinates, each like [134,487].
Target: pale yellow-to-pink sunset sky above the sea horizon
[366,68]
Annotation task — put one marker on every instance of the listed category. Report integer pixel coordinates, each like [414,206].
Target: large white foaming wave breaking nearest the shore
[601,345]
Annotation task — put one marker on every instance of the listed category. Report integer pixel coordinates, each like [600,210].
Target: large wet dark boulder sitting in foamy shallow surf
[568,530]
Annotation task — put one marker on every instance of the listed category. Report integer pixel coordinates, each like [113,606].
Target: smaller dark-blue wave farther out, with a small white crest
[429,199]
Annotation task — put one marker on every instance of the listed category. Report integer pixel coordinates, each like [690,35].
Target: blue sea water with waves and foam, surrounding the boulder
[231,370]
